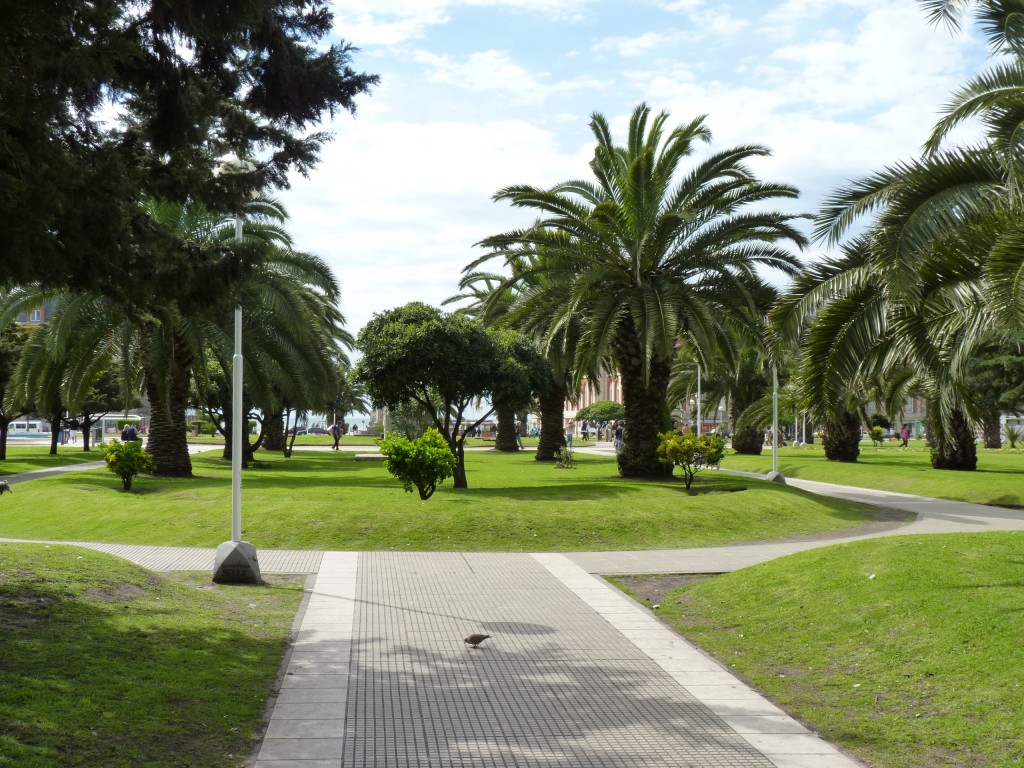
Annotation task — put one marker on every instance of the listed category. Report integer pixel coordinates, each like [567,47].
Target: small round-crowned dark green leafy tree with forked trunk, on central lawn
[417,353]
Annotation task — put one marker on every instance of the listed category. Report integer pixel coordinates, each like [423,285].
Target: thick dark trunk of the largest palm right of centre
[647,411]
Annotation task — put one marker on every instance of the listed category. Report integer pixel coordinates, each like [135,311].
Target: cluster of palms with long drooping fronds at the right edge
[934,269]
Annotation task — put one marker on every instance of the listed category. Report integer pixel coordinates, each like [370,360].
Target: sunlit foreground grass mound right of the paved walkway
[905,651]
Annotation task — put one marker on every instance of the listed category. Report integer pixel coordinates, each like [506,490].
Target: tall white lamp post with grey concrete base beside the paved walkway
[236,562]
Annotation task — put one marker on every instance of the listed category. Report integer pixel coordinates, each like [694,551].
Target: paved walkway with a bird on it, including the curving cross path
[576,673]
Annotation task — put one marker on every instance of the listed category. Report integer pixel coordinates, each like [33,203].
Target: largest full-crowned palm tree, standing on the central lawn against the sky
[648,253]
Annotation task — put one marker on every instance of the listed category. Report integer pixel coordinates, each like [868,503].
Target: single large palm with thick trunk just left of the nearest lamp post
[293,328]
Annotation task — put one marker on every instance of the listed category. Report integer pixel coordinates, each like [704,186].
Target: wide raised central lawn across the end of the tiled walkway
[327,500]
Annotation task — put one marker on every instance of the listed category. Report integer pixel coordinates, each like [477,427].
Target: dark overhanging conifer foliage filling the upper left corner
[194,81]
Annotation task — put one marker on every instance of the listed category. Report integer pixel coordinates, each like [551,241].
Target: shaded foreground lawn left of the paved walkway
[109,666]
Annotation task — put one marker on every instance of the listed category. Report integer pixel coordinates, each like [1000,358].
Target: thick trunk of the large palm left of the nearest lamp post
[168,442]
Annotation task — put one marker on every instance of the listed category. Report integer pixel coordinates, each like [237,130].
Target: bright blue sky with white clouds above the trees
[477,96]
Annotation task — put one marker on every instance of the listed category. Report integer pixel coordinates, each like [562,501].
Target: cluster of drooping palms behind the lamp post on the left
[176,348]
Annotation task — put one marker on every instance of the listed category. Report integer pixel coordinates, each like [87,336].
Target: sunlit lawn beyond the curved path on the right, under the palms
[999,480]
